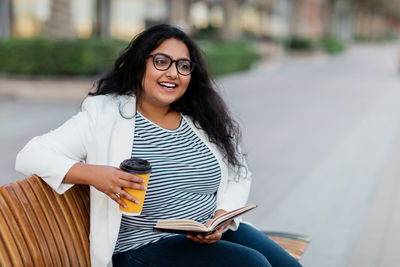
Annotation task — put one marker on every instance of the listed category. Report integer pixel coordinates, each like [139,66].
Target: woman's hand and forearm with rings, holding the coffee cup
[109,180]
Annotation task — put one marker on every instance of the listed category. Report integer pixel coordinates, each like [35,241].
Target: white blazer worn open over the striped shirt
[100,135]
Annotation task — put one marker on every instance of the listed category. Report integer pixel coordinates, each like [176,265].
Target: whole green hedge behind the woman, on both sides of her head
[79,57]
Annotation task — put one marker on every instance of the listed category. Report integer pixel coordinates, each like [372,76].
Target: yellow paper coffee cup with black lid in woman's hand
[140,168]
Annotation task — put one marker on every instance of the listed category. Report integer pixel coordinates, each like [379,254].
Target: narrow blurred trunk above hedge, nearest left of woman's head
[102,22]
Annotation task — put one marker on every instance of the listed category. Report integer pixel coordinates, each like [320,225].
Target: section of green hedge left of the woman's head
[40,56]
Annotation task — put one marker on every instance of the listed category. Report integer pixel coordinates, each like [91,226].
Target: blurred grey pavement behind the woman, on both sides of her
[322,136]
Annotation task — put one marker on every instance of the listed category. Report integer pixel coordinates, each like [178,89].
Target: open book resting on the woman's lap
[190,226]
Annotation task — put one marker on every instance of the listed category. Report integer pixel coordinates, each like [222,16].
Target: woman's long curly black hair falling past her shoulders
[200,101]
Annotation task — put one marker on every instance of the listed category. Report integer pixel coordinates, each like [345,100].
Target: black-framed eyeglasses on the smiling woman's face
[163,62]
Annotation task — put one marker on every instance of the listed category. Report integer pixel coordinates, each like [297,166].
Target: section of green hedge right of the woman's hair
[223,58]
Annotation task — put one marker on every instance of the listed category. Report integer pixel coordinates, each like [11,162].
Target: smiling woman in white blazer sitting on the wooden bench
[158,104]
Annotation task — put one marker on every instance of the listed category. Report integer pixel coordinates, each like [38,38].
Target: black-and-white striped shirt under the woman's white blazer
[183,183]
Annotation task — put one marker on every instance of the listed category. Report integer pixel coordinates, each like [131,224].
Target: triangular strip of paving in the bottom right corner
[380,238]
